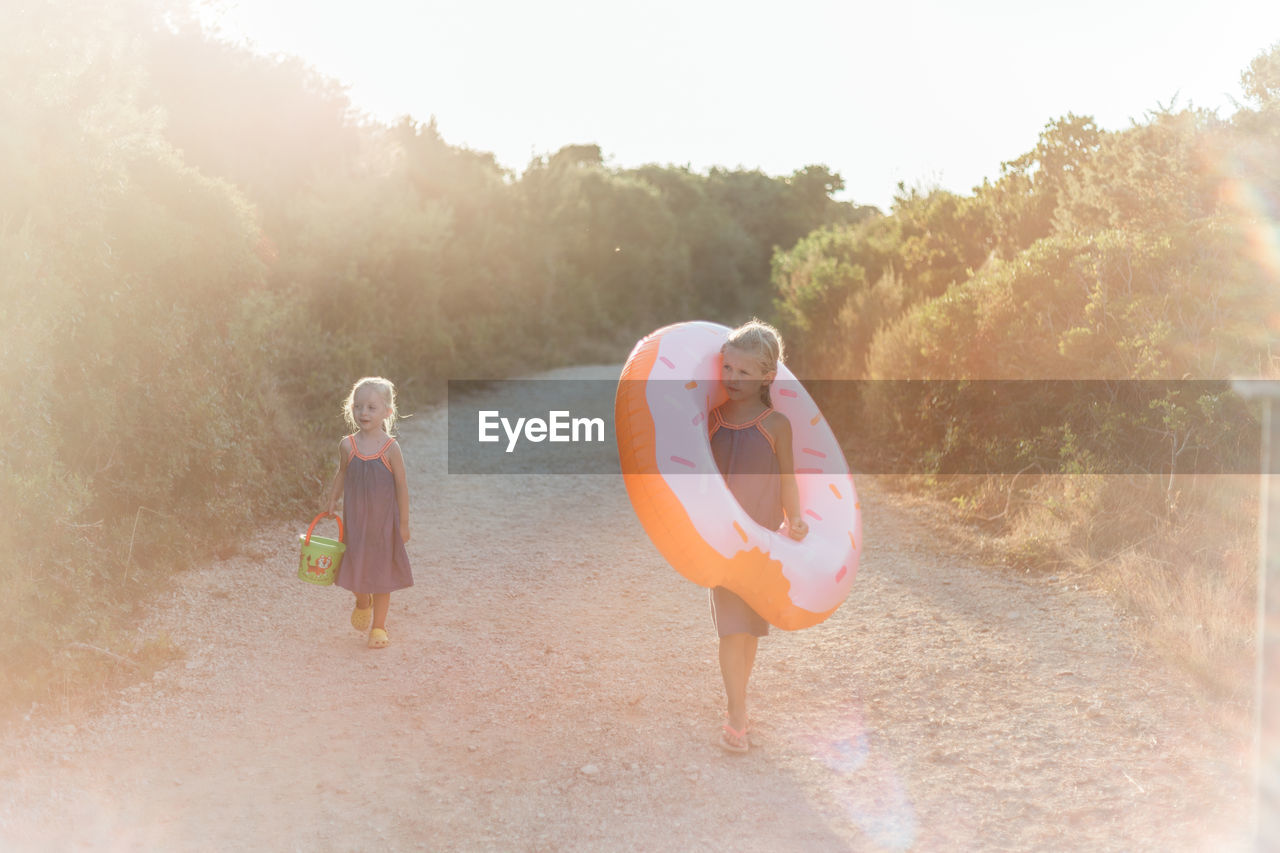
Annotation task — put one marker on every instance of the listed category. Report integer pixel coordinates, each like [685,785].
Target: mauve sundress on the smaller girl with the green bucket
[376,560]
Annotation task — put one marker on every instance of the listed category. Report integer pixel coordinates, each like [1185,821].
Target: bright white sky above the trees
[921,92]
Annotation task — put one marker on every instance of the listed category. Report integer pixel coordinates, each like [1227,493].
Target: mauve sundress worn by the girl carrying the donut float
[746,457]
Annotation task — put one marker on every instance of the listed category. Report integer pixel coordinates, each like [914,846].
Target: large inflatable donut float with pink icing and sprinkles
[669,387]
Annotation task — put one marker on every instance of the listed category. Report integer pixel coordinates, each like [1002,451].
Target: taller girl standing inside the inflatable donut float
[752,445]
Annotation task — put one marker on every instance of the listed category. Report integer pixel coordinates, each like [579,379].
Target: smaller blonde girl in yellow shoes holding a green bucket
[374,494]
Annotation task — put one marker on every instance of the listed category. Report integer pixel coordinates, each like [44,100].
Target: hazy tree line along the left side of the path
[203,248]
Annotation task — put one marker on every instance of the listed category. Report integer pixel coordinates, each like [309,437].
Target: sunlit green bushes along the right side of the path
[1141,254]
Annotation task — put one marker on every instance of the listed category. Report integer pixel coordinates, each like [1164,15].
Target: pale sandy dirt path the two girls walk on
[552,686]
